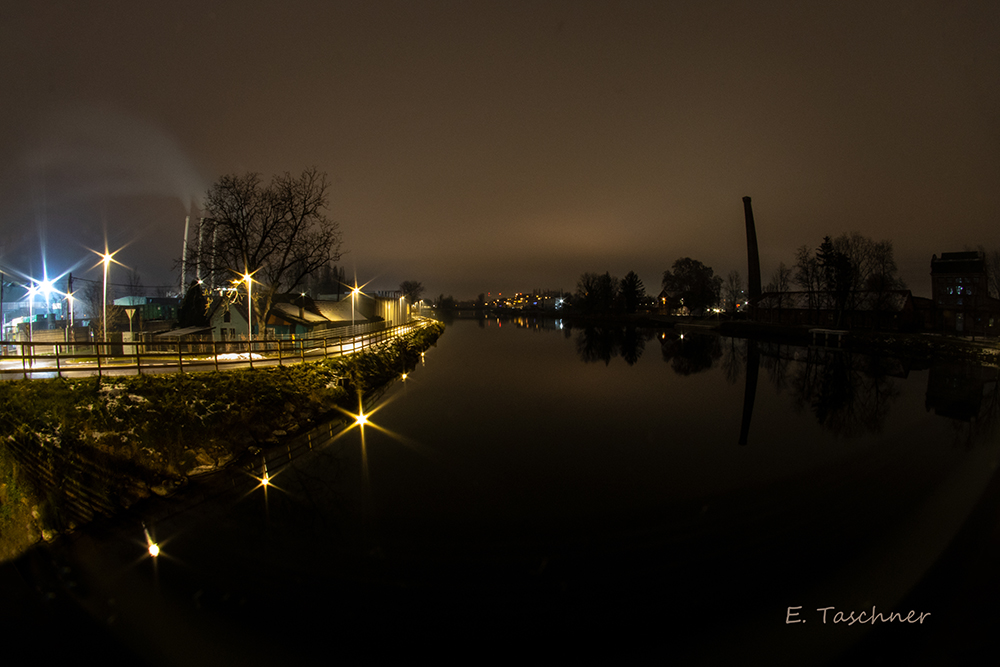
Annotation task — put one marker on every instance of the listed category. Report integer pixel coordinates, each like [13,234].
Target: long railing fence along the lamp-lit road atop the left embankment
[28,359]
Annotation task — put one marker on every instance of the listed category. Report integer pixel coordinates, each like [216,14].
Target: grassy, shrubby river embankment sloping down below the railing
[70,449]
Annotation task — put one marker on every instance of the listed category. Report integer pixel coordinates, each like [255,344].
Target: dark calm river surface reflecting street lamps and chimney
[536,493]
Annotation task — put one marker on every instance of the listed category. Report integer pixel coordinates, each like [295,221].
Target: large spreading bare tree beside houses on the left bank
[277,233]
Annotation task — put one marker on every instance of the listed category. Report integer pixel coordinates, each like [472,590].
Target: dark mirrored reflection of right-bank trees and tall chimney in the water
[849,394]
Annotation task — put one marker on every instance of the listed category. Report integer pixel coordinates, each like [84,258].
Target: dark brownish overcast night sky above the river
[505,146]
